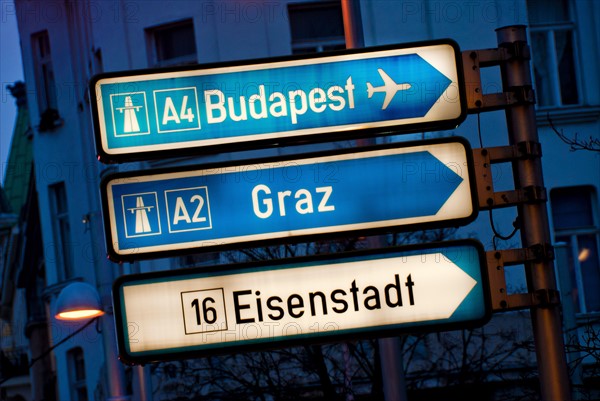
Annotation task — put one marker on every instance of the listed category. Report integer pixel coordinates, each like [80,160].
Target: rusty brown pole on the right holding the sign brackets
[547,330]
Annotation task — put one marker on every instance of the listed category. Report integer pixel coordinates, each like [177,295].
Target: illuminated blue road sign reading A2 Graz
[406,186]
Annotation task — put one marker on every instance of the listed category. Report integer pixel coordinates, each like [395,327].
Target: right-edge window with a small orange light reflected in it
[575,223]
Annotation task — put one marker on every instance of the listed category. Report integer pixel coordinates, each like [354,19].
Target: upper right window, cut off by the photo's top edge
[552,42]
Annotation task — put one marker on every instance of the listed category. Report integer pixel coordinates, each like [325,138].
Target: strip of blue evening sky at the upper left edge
[11,70]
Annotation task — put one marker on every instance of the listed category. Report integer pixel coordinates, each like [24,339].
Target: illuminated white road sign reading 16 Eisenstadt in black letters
[176,314]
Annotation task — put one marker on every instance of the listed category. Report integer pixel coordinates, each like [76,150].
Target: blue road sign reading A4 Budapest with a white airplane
[157,113]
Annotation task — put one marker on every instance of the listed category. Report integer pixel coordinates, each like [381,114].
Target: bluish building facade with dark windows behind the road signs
[64,44]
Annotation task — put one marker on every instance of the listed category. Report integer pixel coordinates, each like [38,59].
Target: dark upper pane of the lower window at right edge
[572,208]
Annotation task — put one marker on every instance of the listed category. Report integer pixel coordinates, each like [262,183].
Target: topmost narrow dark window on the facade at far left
[44,80]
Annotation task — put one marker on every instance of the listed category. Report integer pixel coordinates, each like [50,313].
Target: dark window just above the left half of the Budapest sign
[172,44]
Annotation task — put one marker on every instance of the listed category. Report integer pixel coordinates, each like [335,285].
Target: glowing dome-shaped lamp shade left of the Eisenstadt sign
[78,301]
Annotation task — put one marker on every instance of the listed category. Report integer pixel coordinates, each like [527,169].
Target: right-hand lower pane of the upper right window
[566,67]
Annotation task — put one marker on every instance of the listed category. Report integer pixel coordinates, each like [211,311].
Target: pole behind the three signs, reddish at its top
[392,371]
